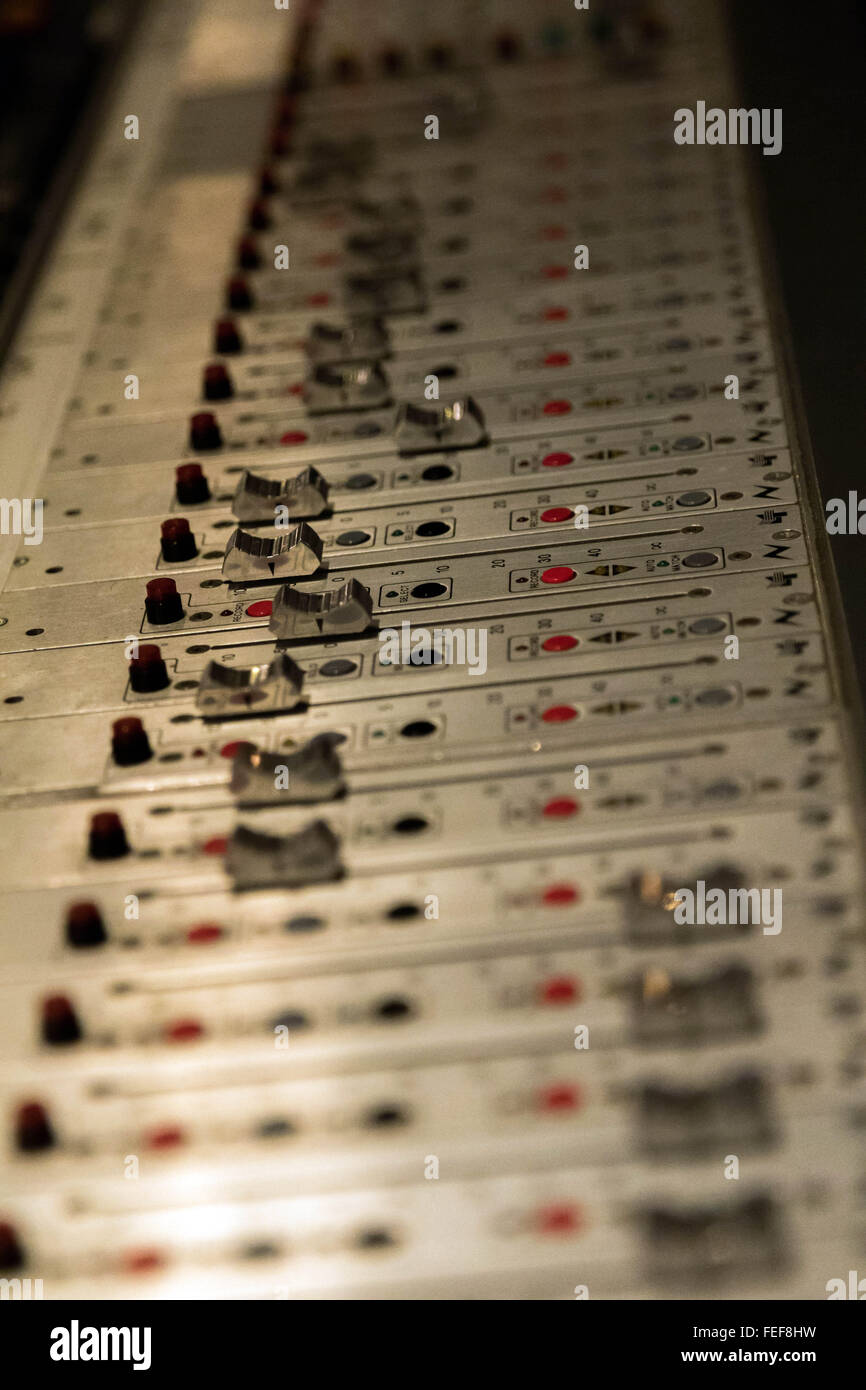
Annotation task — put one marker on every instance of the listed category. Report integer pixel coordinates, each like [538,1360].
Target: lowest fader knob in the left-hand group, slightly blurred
[256,860]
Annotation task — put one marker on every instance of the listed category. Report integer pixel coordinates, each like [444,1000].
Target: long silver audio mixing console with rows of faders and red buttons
[430,797]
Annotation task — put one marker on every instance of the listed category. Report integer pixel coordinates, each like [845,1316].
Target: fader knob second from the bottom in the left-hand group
[313,774]
